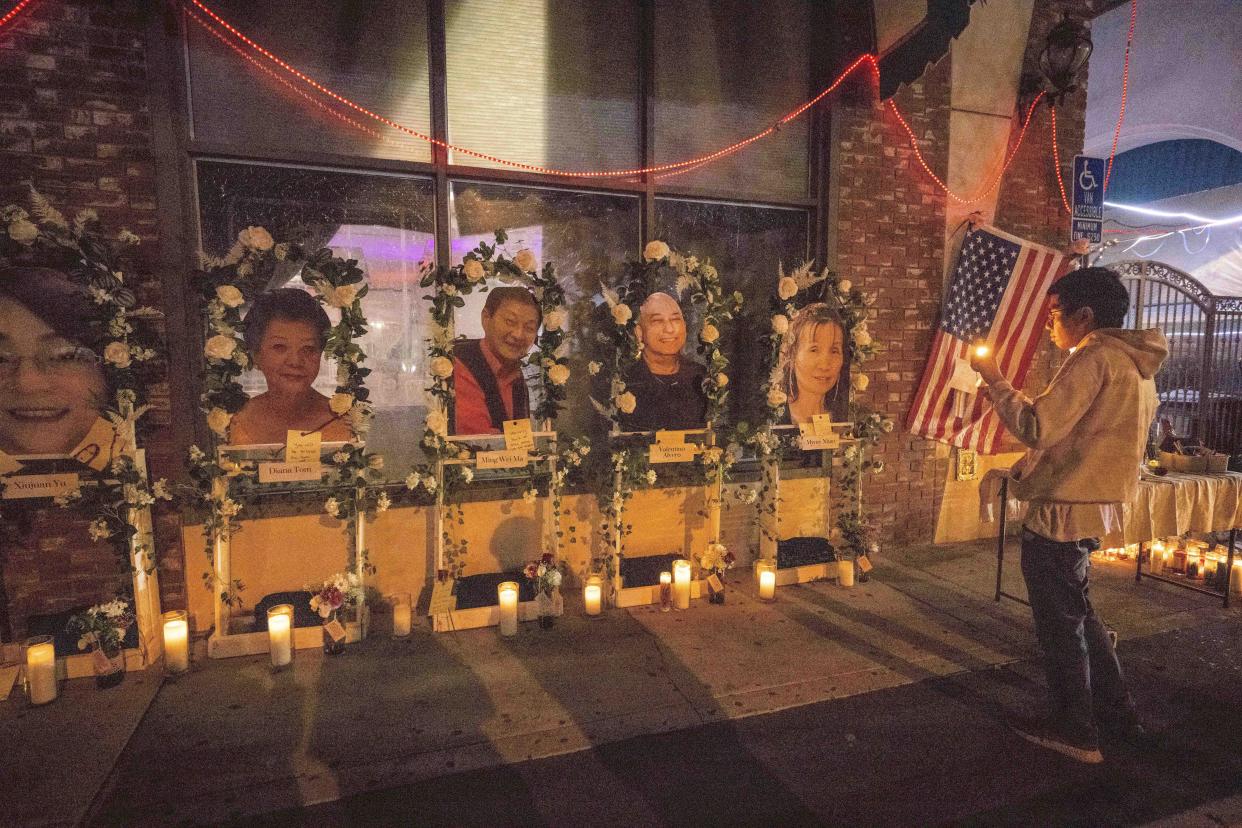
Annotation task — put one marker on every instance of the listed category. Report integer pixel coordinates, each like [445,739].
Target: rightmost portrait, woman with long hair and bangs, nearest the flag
[812,359]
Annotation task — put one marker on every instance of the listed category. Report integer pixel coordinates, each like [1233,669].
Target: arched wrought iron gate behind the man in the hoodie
[1200,385]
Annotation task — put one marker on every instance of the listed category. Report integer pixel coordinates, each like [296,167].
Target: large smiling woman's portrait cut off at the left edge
[52,384]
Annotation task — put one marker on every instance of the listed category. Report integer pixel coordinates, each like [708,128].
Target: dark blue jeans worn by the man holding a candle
[1085,677]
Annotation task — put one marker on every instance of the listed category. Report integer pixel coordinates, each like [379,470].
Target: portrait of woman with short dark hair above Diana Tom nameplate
[286,332]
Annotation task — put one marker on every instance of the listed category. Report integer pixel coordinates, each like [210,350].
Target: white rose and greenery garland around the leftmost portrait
[124,338]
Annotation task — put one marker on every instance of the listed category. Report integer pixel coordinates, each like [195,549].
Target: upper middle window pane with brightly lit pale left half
[547,83]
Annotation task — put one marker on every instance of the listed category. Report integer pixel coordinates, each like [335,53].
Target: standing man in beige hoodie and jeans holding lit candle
[1087,435]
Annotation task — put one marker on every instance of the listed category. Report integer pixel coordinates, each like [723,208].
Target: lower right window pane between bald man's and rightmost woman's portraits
[746,245]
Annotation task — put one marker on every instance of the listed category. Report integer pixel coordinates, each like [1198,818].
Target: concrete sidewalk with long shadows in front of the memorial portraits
[233,739]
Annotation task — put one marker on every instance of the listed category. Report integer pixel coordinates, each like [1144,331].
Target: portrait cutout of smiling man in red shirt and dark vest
[489,382]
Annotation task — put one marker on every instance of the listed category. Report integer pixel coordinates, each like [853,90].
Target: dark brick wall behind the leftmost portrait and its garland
[75,125]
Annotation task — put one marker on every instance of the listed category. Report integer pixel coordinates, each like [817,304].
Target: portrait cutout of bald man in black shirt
[668,387]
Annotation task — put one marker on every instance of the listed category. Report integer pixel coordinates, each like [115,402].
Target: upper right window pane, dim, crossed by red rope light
[727,70]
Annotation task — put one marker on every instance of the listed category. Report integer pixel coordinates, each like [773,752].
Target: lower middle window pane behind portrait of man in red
[584,235]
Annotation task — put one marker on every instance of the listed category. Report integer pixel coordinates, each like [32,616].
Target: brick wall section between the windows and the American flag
[890,223]
